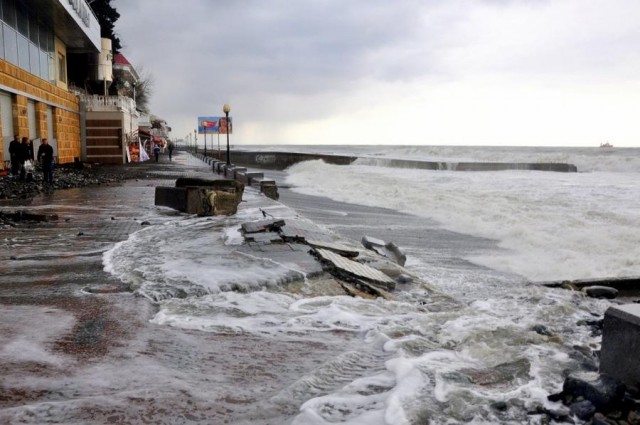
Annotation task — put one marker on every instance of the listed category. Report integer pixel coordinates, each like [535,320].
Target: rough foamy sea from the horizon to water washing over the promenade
[485,239]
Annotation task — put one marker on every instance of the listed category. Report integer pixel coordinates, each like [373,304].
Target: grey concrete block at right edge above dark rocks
[621,344]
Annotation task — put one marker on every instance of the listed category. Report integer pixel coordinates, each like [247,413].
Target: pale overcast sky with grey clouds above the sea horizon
[437,72]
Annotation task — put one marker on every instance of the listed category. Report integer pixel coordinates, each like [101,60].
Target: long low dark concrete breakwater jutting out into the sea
[282,160]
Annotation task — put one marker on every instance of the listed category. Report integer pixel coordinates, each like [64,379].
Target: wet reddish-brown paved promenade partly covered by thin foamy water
[76,347]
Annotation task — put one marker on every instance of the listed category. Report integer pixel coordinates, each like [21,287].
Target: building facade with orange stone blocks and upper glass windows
[42,44]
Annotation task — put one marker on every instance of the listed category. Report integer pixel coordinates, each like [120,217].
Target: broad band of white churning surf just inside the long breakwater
[551,226]
